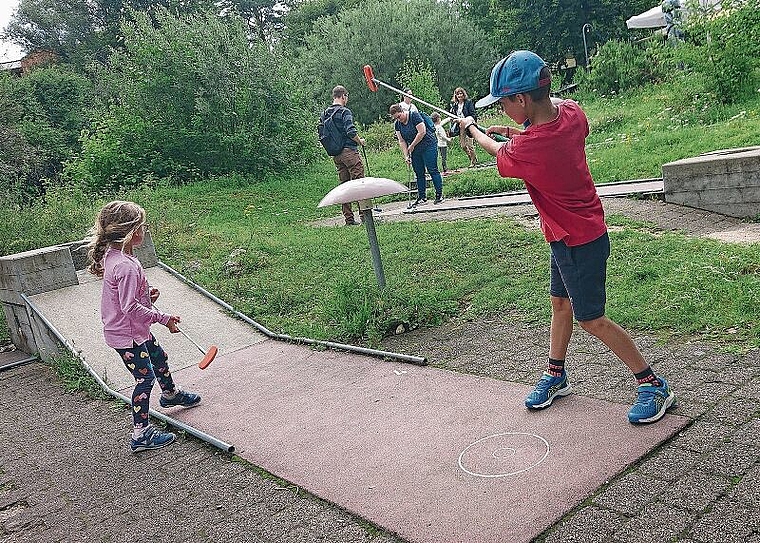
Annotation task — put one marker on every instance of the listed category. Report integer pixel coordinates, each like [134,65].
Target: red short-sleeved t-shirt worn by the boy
[551,159]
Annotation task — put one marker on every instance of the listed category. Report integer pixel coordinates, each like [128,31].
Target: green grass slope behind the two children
[250,241]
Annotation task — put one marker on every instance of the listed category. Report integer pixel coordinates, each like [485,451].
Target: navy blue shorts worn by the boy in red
[580,273]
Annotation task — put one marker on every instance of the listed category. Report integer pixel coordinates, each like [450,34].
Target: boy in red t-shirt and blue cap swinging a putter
[549,156]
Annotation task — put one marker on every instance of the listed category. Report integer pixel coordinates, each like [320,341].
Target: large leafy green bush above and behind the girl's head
[189,97]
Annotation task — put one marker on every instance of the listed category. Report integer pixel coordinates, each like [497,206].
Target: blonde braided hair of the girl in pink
[116,223]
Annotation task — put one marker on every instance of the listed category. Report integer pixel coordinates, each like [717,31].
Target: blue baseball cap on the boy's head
[519,72]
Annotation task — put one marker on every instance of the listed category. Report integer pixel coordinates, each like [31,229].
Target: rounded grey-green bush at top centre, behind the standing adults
[385,33]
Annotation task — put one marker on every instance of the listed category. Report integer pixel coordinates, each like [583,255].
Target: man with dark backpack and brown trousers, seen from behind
[341,140]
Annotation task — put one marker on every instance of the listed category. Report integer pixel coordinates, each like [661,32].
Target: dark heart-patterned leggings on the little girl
[146,362]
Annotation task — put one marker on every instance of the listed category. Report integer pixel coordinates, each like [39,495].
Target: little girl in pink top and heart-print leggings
[127,312]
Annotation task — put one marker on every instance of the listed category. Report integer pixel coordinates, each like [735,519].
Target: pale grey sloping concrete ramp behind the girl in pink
[75,312]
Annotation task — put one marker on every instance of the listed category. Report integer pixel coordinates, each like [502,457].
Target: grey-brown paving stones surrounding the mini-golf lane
[66,475]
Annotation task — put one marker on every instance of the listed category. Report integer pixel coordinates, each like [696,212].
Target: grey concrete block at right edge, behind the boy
[725,182]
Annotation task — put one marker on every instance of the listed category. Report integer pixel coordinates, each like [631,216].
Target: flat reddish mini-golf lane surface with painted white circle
[432,455]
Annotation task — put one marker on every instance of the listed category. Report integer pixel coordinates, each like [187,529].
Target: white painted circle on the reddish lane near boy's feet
[503,454]
